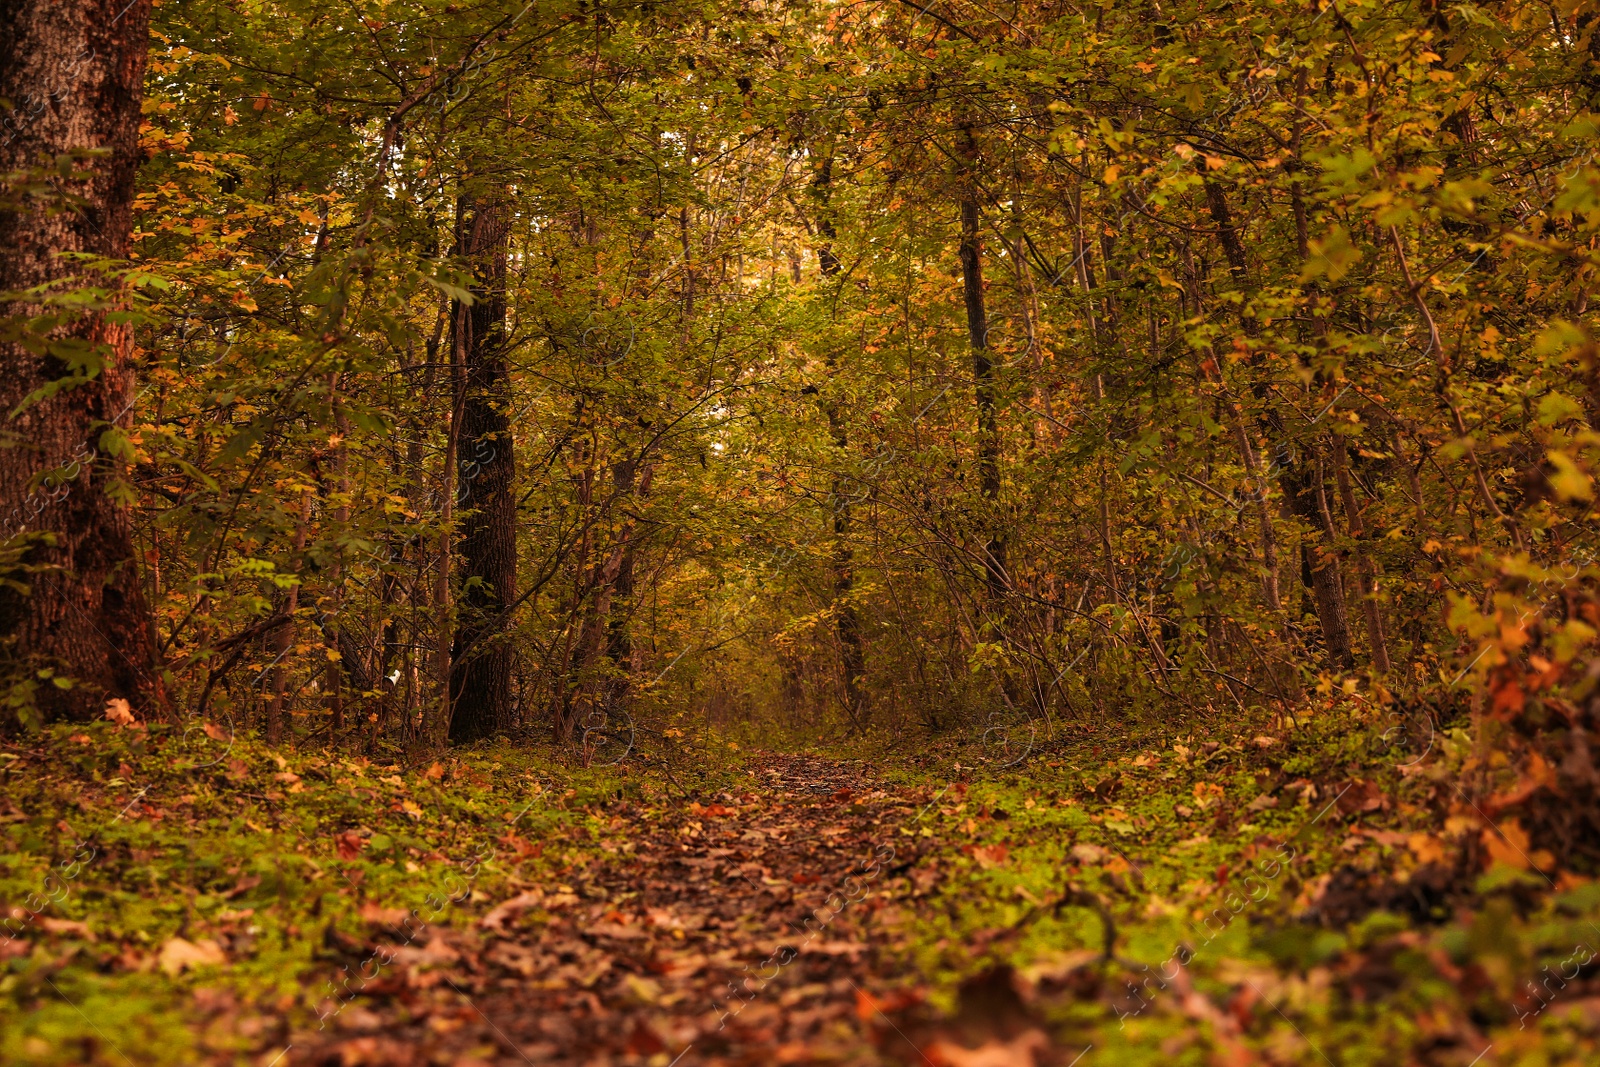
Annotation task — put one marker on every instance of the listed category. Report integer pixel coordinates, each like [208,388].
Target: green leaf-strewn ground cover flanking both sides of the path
[177,900]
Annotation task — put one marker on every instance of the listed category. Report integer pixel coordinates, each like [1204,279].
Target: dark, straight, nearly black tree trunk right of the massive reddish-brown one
[481,698]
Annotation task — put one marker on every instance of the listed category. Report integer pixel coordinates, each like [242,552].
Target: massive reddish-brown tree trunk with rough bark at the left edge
[74,73]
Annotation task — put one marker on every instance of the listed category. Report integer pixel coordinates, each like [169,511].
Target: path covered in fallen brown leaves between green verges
[753,929]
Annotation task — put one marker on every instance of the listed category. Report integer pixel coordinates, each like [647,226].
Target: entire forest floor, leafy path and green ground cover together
[1303,897]
